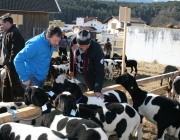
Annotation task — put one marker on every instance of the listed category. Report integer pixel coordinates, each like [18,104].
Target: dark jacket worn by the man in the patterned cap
[93,66]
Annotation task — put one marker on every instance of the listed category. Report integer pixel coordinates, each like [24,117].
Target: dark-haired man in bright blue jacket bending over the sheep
[33,61]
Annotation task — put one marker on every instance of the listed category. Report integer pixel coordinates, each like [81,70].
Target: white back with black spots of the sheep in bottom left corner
[17,131]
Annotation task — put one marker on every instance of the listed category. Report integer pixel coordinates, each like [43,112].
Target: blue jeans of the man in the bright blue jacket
[34,82]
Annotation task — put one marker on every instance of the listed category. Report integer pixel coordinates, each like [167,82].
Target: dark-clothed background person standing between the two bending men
[63,45]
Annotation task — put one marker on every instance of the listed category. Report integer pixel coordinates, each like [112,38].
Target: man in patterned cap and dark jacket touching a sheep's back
[87,63]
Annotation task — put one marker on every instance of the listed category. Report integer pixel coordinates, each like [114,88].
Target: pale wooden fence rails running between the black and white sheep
[32,111]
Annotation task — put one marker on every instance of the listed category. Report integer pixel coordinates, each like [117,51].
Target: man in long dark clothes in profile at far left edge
[12,43]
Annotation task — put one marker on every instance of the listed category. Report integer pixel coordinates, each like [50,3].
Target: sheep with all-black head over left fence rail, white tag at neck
[78,128]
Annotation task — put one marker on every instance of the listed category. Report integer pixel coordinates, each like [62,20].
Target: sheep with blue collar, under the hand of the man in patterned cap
[109,96]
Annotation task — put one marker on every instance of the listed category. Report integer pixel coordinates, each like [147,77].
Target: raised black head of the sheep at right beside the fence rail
[127,81]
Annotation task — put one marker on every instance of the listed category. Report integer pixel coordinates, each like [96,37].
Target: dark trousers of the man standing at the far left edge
[11,84]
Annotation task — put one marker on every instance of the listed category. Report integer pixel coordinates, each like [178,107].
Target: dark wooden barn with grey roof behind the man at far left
[34,14]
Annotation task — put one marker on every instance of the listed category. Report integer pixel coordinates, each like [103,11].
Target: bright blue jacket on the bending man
[34,58]
